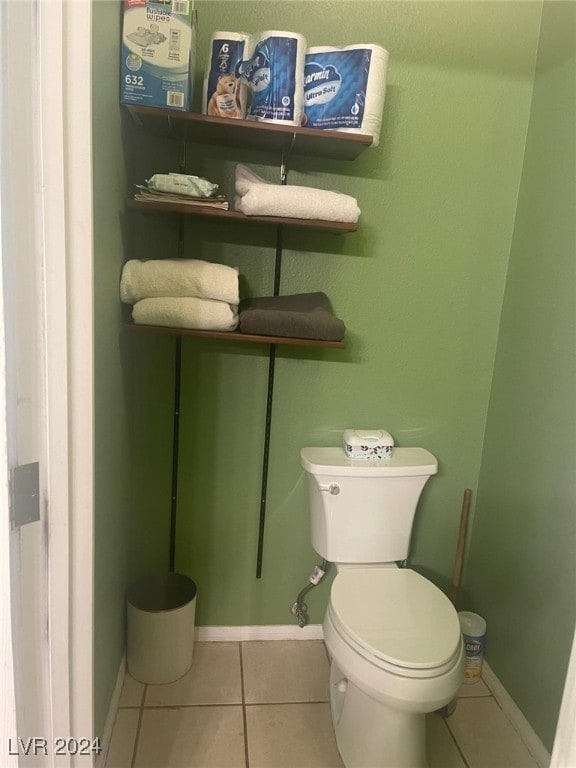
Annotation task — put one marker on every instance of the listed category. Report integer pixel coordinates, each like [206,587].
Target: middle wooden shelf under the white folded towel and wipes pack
[217,213]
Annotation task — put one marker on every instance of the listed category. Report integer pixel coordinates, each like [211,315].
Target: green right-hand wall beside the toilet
[522,570]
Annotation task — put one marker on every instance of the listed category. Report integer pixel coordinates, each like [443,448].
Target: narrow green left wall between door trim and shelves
[113,460]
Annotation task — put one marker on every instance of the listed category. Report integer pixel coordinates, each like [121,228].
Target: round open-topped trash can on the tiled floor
[161,611]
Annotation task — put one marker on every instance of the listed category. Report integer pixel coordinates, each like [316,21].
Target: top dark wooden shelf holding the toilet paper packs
[251,134]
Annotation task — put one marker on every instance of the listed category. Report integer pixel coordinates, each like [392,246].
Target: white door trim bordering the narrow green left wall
[66,72]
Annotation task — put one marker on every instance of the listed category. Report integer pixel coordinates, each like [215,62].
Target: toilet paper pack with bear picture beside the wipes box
[225,95]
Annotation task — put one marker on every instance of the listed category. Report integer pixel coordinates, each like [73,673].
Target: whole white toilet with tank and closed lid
[393,637]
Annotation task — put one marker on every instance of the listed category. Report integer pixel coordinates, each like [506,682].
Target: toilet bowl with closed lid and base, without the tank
[396,654]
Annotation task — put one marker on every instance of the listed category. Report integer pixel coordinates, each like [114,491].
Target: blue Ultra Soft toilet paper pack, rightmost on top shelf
[344,88]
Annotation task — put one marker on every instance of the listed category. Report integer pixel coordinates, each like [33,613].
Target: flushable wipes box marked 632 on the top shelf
[158,53]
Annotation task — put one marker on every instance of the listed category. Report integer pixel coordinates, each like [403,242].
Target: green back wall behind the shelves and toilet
[420,287]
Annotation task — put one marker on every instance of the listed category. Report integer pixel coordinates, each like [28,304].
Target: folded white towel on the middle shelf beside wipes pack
[258,197]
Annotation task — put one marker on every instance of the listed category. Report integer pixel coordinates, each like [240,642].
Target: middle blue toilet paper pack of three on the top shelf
[275,75]
